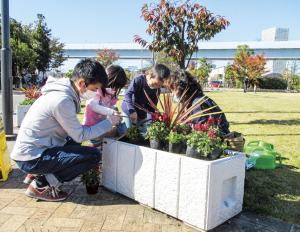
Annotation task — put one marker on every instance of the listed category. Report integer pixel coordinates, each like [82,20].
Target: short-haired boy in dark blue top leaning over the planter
[135,97]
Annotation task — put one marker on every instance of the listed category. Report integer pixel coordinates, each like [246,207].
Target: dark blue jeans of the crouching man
[65,163]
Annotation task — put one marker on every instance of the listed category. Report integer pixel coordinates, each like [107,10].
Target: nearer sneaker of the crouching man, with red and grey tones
[47,193]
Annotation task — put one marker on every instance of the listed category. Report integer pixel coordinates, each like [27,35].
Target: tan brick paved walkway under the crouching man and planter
[104,211]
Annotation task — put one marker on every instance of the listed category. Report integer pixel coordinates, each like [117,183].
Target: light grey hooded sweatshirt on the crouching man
[52,118]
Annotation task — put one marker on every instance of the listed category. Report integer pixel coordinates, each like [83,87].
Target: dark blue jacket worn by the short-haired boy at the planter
[135,96]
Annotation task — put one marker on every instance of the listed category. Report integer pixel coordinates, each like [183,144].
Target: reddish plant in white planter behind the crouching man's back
[31,94]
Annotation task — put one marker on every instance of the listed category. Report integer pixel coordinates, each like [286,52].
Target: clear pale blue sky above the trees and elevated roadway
[103,21]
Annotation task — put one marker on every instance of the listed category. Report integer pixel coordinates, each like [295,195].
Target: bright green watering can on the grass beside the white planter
[264,155]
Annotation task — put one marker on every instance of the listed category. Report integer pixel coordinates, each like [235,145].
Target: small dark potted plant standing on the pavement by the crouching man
[91,179]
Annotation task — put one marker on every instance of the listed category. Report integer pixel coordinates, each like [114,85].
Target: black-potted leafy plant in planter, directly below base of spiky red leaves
[157,133]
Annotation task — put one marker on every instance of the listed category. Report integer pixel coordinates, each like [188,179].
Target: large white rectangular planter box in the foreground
[201,193]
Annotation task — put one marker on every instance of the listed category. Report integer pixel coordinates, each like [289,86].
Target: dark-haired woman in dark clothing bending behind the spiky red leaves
[182,81]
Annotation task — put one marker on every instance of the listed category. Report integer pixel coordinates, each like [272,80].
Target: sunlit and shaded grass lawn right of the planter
[274,118]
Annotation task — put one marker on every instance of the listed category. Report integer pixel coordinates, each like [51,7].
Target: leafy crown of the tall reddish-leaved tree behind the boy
[177,28]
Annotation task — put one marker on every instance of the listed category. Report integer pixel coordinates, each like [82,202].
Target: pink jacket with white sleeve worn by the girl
[99,107]
